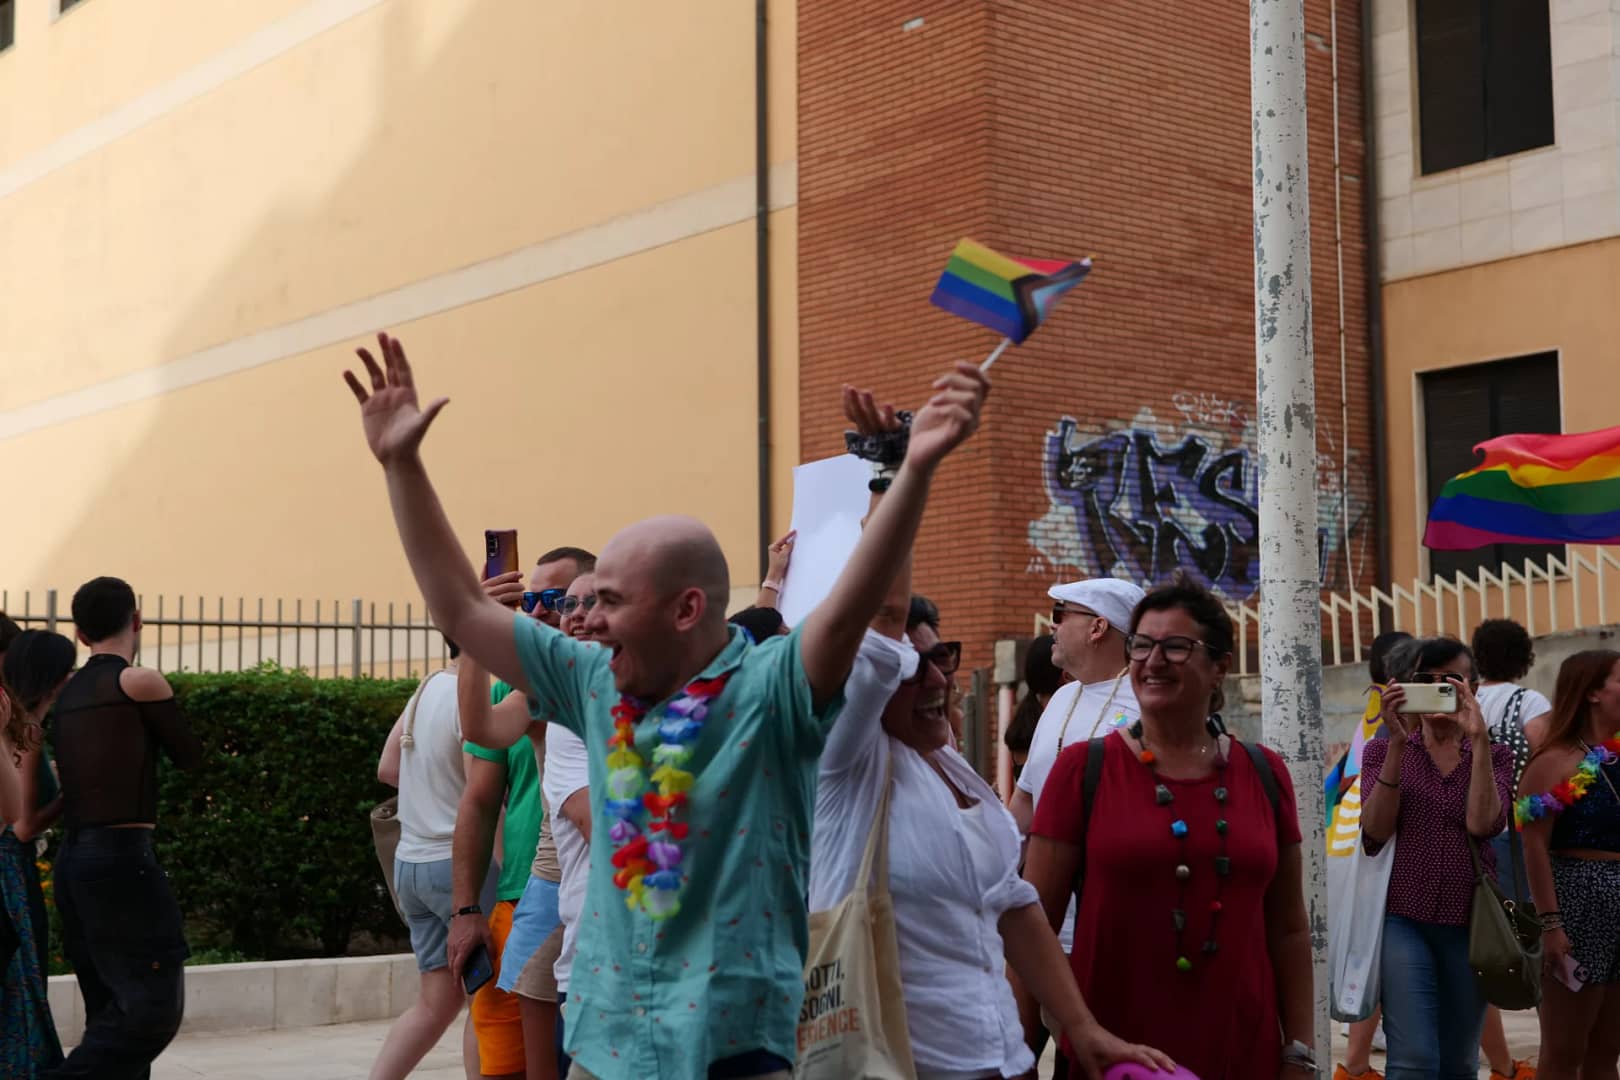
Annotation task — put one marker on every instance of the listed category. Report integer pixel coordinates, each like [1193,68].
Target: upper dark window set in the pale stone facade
[1485,80]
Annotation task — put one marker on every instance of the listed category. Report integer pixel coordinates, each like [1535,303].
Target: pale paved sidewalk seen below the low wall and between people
[346,1052]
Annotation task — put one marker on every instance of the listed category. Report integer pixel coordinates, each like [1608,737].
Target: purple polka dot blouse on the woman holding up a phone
[1433,880]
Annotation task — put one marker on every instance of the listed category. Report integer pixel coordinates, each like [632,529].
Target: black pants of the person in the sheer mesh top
[122,933]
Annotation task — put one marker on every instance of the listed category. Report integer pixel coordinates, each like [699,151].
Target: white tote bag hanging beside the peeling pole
[1355,932]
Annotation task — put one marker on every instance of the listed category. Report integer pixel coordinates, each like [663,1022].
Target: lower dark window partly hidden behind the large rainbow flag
[1464,407]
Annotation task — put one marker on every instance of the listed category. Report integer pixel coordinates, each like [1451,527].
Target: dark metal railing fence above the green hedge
[323,637]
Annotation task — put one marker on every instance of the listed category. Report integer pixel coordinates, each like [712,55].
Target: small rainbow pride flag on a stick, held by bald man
[1012,297]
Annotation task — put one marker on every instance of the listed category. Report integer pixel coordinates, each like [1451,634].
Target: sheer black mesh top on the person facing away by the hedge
[106,747]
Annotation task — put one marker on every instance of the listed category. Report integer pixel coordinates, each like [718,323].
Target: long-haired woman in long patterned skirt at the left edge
[38,663]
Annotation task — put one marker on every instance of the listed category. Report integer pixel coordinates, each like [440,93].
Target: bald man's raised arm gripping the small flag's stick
[833,632]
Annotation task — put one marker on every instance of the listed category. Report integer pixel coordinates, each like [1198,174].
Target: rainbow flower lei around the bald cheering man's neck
[647,862]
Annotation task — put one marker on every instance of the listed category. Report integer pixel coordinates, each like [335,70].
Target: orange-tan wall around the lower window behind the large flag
[1566,300]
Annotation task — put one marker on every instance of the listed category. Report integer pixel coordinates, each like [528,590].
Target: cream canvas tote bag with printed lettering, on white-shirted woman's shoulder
[853,1021]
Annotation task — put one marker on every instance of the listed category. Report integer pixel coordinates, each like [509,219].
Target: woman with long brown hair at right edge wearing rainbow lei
[1569,812]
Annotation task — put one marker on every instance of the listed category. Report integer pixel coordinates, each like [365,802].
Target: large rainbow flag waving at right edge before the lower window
[1533,490]
